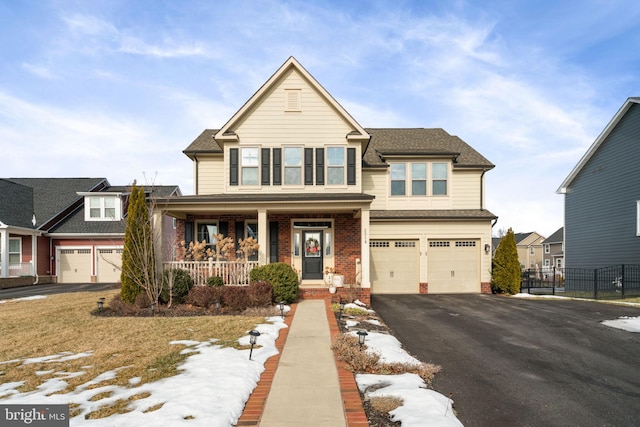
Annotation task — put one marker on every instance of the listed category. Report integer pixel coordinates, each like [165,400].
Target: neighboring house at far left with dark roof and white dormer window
[66,230]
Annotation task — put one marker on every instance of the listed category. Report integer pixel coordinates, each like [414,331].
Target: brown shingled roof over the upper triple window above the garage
[420,142]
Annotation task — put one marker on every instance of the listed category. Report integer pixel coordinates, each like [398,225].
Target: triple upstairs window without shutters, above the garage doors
[413,179]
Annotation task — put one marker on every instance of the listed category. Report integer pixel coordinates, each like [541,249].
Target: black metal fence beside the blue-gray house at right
[613,282]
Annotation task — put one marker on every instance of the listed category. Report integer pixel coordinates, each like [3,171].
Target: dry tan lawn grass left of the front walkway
[131,346]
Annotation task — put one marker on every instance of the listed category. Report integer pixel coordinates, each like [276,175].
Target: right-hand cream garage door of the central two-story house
[453,266]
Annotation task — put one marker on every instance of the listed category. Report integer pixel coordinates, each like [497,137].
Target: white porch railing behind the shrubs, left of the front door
[233,273]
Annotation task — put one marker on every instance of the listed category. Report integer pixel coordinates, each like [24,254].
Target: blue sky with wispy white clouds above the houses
[119,88]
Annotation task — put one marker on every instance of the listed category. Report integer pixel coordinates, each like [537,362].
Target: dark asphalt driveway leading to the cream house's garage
[521,362]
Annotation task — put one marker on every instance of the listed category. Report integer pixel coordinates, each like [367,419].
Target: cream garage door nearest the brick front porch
[395,266]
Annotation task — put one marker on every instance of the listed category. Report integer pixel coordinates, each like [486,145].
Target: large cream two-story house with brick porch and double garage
[393,210]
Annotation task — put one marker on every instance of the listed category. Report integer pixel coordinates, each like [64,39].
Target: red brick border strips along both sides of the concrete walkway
[354,412]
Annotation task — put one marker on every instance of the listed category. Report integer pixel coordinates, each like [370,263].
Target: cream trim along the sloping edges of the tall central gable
[227,131]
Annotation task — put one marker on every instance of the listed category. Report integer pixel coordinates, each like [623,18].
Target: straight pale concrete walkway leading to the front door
[306,388]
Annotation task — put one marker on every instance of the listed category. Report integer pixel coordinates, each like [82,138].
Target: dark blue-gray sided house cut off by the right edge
[602,196]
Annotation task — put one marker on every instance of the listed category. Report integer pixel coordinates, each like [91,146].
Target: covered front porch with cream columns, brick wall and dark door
[315,235]
